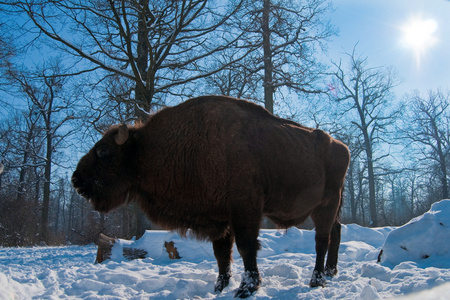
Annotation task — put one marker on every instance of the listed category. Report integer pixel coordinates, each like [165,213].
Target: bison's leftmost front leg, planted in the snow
[222,252]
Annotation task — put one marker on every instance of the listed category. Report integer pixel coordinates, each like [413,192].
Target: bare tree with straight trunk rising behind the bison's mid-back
[283,38]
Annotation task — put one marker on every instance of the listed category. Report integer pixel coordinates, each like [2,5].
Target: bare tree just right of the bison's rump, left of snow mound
[365,100]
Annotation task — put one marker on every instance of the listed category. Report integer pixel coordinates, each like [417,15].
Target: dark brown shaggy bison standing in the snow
[218,165]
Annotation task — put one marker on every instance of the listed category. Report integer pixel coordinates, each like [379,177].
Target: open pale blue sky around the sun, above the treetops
[388,36]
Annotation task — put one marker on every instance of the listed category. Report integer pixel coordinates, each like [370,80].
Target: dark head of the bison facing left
[106,175]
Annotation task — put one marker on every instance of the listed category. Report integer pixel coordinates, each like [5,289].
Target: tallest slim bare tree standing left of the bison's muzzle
[44,92]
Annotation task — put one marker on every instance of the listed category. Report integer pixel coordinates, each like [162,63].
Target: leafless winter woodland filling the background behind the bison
[72,68]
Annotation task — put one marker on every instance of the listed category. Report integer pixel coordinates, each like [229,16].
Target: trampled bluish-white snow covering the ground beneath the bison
[415,263]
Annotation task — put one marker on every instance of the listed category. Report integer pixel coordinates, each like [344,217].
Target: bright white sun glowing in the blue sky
[418,35]
